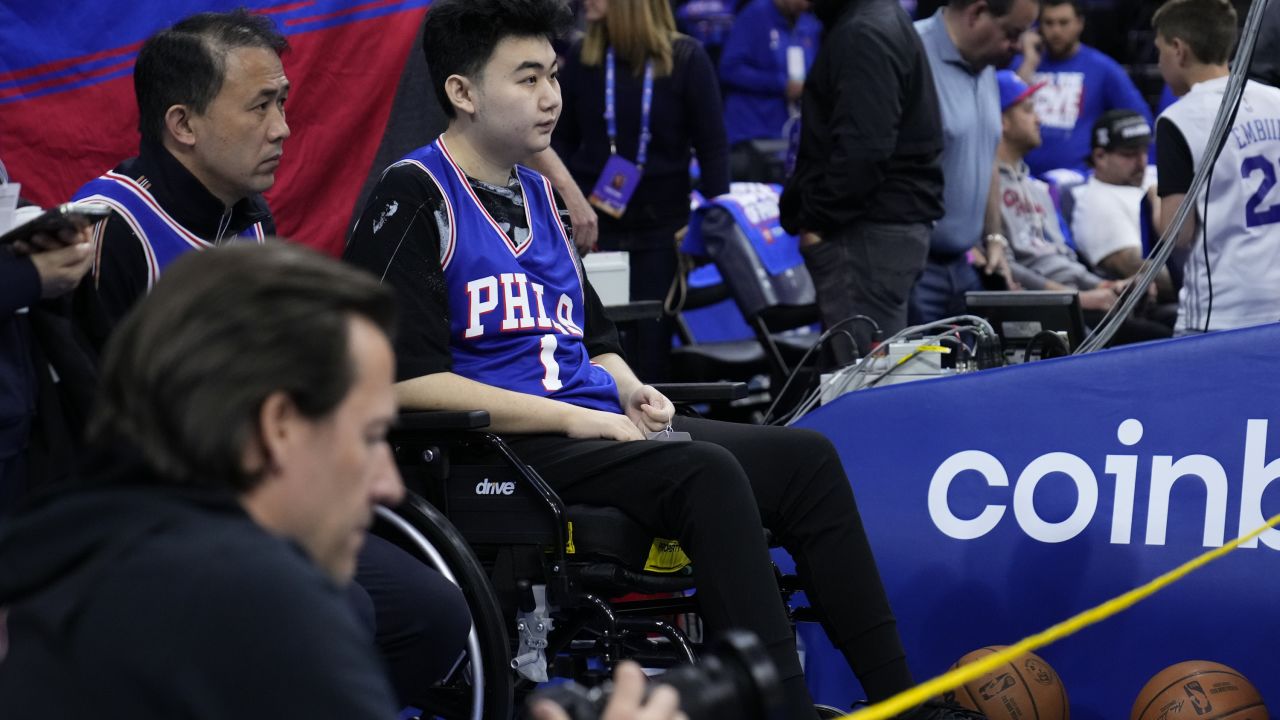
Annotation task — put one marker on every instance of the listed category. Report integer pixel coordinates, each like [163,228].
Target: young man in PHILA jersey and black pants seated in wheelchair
[499,317]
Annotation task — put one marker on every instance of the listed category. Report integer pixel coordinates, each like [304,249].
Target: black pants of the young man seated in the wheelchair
[714,495]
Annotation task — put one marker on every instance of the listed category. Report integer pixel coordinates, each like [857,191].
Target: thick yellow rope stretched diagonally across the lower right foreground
[916,696]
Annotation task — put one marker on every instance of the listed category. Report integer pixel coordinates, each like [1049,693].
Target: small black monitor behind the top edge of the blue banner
[1020,318]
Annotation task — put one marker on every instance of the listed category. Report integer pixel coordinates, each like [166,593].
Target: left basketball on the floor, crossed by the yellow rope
[1027,689]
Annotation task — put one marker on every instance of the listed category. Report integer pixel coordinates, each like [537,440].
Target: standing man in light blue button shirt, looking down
[966,42]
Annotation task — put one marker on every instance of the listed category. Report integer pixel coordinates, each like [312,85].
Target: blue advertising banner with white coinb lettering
[1004,502]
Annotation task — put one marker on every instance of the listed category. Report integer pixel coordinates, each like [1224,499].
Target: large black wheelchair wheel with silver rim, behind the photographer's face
[482,686]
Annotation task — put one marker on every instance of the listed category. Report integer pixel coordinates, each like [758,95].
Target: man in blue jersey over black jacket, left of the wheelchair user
[212,97]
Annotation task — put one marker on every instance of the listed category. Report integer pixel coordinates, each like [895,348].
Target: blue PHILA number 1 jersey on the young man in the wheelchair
[516,313]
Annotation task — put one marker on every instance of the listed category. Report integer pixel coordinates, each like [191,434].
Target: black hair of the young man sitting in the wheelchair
[459,37]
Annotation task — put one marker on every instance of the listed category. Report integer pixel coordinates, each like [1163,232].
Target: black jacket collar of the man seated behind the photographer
[188,200]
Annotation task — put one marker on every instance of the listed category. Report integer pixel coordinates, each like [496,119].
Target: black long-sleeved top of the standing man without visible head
[871,127]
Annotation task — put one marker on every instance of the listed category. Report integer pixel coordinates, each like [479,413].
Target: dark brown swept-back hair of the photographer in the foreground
[188,372]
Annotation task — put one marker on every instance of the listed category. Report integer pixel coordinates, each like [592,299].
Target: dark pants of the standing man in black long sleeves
[867,270]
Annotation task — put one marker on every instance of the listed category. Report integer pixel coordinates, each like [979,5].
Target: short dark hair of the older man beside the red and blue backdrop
[188,63]
